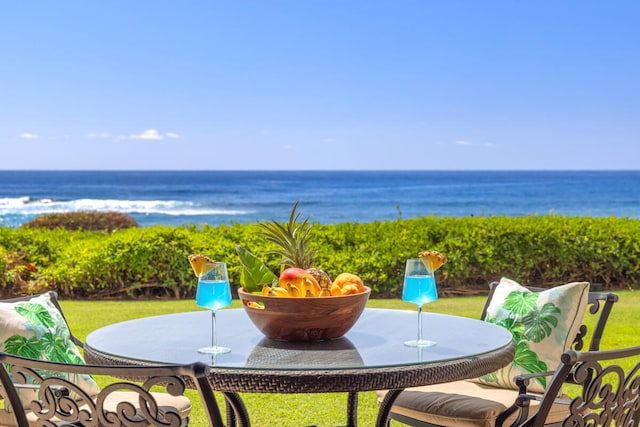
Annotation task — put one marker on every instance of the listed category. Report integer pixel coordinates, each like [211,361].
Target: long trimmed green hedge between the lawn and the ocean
[152,262]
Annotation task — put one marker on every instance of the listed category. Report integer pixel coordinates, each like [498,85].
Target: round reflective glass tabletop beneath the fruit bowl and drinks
[375,341]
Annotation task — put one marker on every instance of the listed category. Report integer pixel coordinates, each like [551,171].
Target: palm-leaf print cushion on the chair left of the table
[36,329]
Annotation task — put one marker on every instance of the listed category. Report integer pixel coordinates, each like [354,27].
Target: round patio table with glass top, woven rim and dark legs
[371,356]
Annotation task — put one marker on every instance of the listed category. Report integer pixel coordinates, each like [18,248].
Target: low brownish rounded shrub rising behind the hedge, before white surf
[83,220]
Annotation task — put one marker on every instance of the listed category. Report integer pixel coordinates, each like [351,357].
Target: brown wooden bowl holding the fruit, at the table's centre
[304,319]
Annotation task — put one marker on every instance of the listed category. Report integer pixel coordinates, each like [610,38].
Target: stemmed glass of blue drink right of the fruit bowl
[419,288]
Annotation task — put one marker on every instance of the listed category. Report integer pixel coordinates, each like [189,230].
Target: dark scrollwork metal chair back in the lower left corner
[42,392]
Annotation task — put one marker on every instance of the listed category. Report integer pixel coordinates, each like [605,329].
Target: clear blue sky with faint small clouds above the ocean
[332,84]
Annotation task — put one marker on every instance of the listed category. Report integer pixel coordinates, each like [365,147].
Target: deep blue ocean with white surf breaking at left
[226,197]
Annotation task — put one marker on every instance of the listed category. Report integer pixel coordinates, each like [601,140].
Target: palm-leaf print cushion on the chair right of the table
[543,324]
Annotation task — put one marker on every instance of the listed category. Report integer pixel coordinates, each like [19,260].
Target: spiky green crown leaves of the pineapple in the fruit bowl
[292,239]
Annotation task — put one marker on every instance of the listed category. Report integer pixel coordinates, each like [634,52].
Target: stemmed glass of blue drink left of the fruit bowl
[214,293]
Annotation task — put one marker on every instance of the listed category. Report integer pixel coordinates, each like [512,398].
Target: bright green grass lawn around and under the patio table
[322,409]
